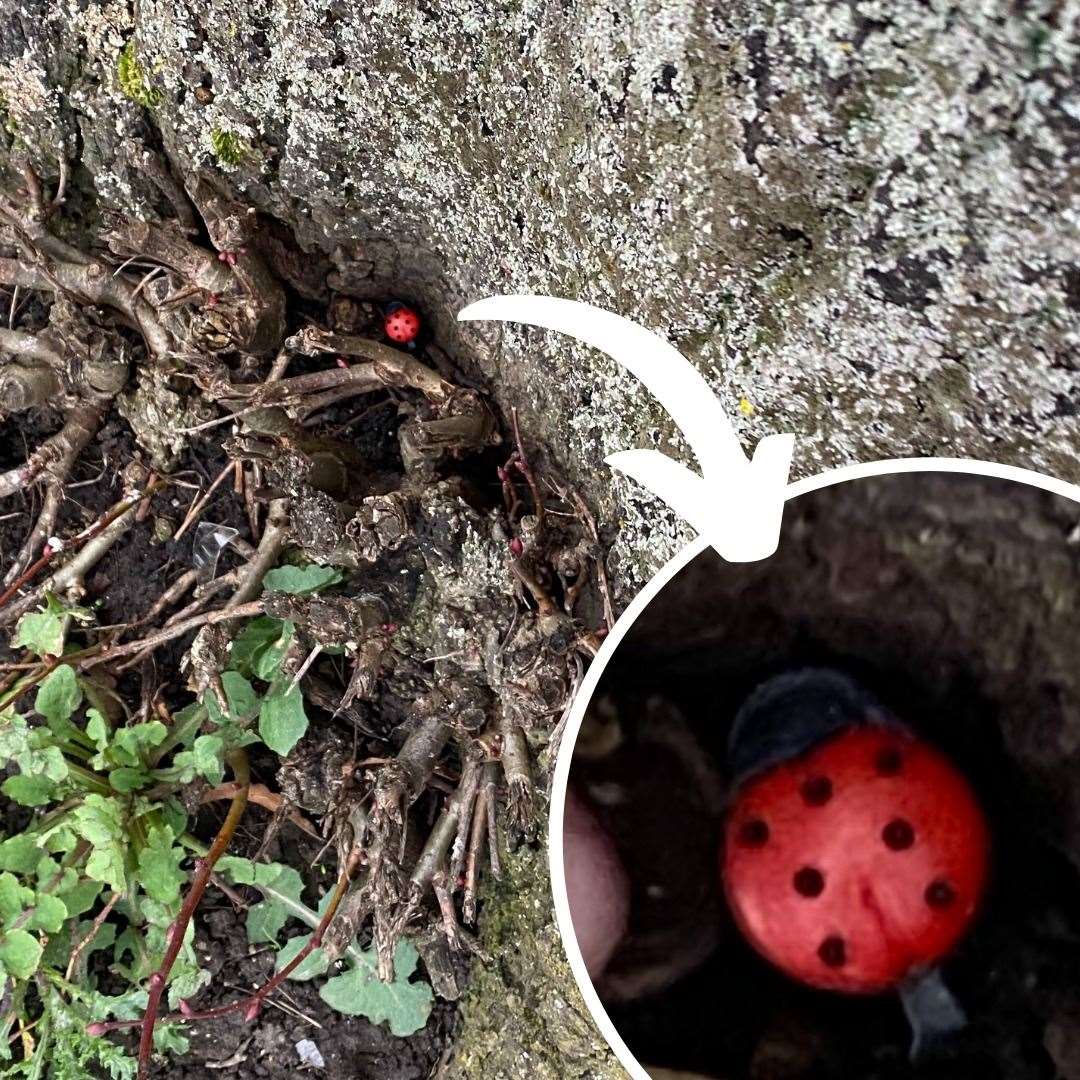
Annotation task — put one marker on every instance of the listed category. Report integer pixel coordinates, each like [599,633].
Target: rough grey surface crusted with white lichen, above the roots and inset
[859,218]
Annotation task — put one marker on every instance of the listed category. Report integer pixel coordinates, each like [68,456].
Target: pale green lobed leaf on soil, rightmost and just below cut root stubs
[360,993]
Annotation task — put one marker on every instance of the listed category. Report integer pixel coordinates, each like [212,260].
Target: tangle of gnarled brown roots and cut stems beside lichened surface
[471,592]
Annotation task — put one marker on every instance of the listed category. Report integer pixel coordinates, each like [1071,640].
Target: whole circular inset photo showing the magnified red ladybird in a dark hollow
[822,815]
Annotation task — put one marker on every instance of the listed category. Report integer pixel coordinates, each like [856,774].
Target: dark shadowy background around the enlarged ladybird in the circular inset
[954,600]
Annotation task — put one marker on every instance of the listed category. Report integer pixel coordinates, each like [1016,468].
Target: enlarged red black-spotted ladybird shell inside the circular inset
[858,863]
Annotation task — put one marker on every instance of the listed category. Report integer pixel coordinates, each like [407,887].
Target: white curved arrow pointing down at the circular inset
[736,504]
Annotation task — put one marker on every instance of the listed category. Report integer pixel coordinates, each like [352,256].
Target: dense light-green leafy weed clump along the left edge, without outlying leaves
[109,835]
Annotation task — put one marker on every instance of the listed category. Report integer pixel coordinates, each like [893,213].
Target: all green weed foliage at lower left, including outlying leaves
[106,865]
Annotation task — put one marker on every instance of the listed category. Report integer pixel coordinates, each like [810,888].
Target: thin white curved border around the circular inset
[637,607]
